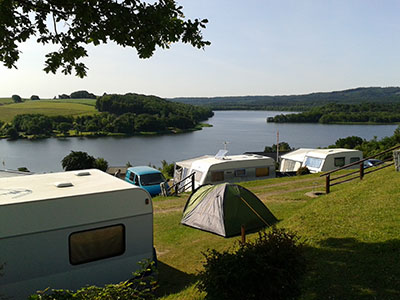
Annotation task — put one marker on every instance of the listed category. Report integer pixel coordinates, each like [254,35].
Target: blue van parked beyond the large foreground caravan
[146,177]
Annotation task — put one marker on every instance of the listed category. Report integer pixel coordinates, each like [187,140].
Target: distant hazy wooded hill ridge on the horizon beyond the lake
[298,102]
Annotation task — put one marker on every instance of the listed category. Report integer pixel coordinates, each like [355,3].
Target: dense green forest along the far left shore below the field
[118,114]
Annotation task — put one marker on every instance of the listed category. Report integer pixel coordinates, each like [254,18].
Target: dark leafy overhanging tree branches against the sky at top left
[132,23]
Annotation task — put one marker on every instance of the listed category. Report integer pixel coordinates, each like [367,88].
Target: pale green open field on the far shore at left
[70,107]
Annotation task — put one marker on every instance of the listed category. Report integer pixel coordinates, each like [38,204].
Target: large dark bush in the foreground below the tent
[268,268]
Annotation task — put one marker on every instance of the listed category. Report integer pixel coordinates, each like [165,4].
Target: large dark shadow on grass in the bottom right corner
[349,269]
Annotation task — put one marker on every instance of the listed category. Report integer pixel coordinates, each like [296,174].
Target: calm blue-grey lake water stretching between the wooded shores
[242,130]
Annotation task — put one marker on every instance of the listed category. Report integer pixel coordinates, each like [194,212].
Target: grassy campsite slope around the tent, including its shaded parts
[352,237]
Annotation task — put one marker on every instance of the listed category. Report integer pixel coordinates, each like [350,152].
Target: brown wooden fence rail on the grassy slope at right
[360,173]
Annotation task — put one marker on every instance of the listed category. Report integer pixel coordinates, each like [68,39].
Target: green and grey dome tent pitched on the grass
[223,209]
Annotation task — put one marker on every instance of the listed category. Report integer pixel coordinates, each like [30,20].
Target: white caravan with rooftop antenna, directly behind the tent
[225,168]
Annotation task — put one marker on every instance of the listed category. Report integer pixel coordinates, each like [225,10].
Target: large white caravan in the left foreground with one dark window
[71,229]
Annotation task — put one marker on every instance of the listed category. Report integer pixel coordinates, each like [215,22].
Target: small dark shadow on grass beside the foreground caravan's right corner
[171,280]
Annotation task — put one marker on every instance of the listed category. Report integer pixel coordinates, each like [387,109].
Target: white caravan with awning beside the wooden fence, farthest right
[319,160]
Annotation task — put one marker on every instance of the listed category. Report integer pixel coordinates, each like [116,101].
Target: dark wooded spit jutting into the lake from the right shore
[344,113]
